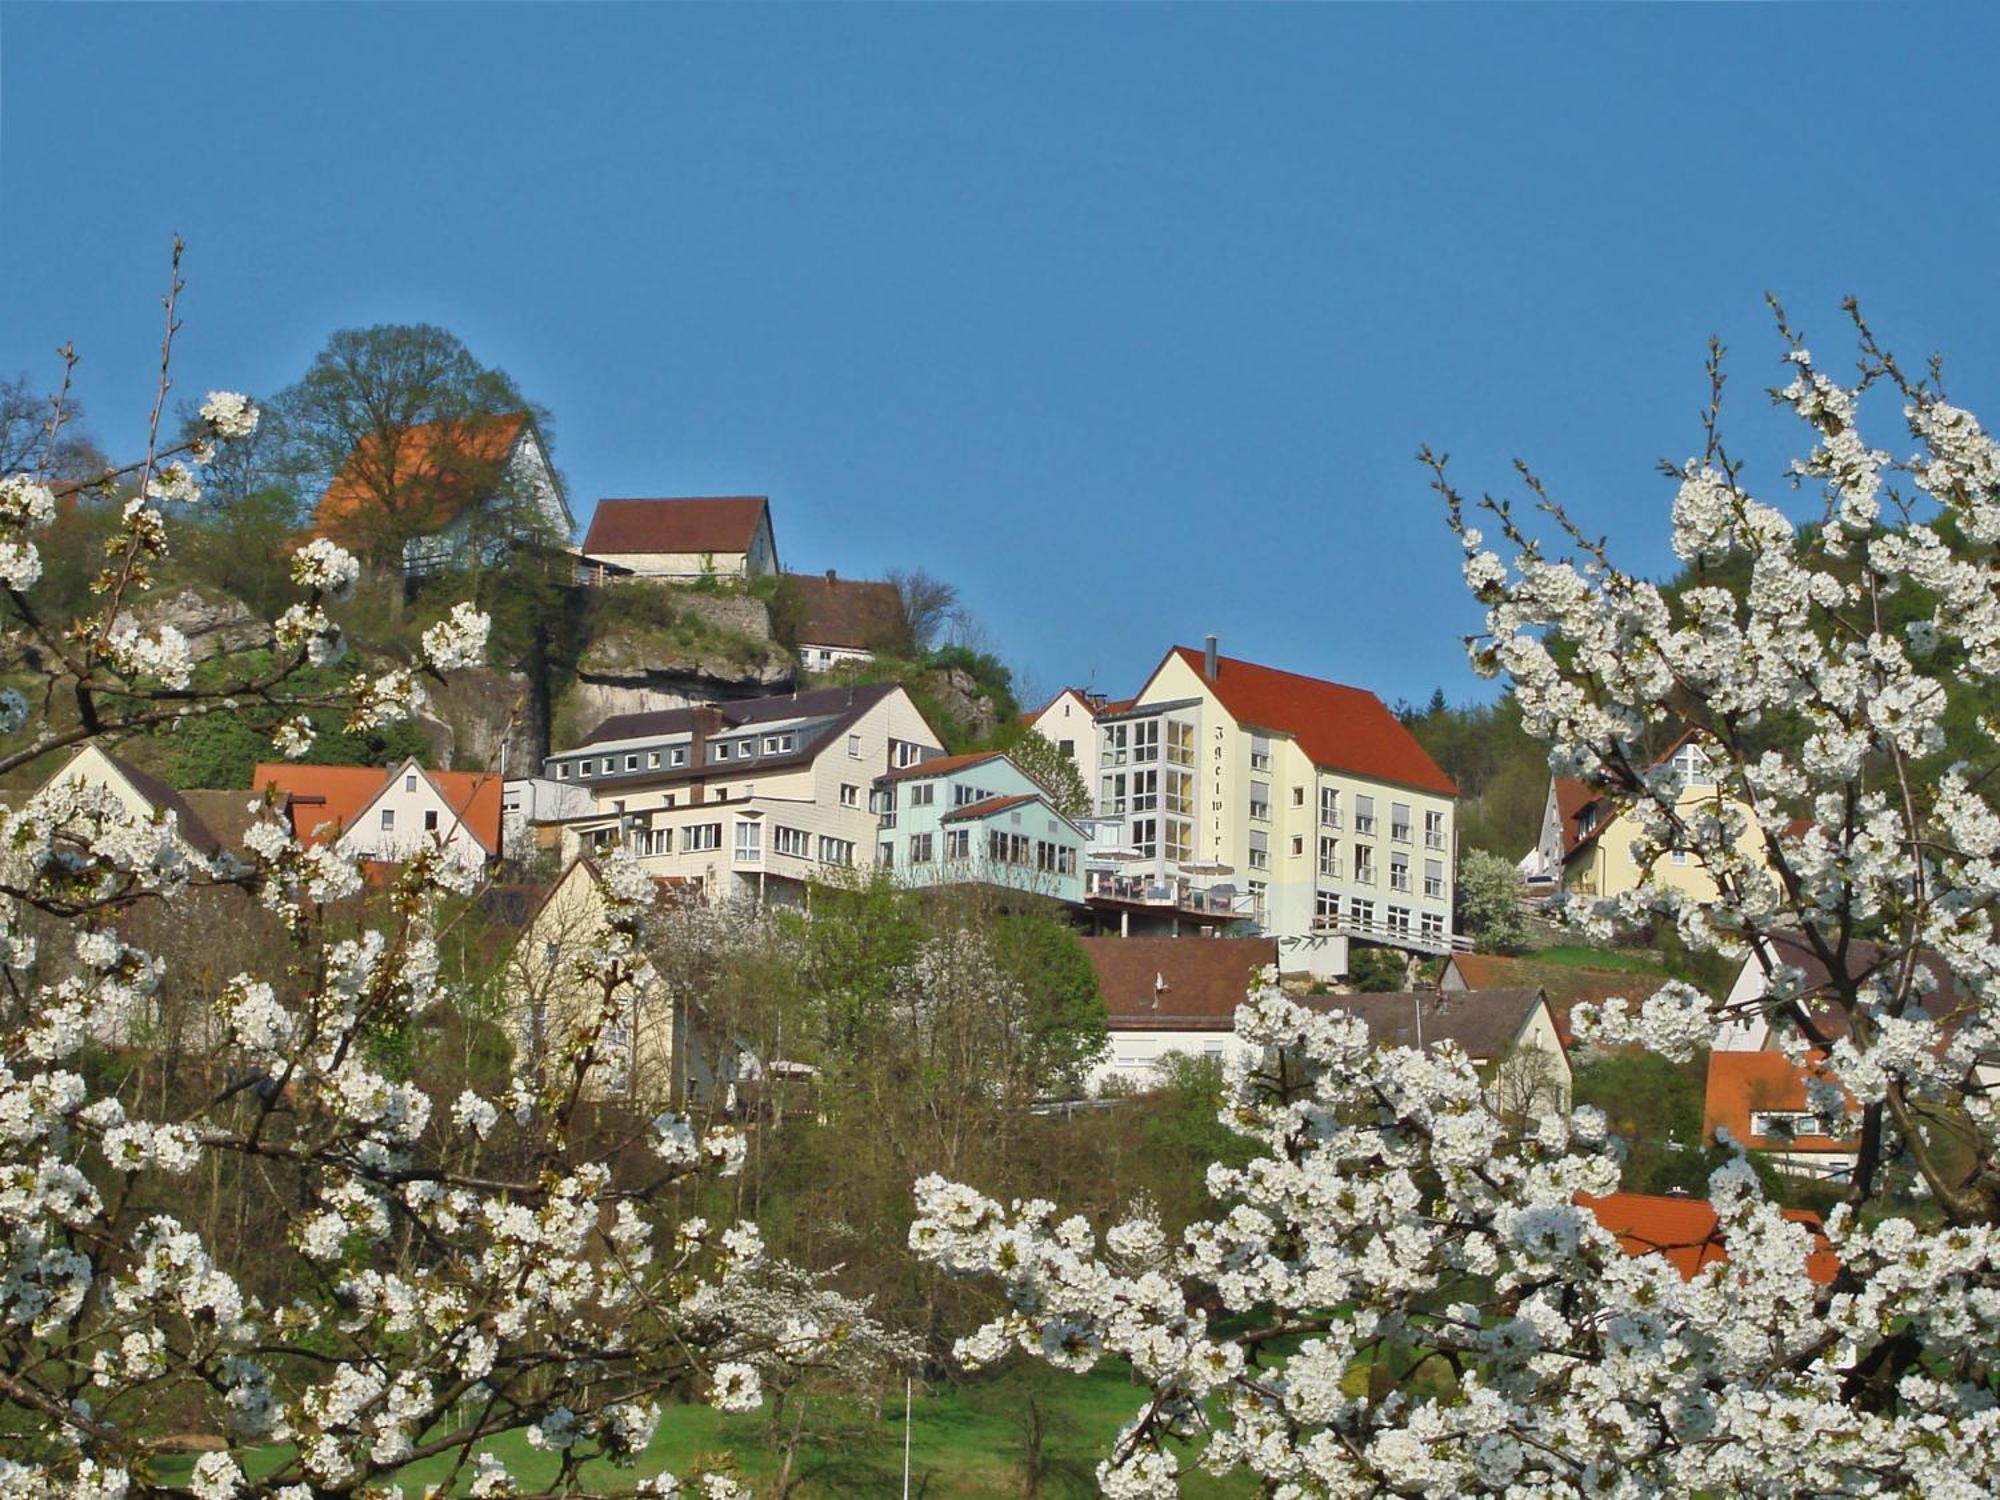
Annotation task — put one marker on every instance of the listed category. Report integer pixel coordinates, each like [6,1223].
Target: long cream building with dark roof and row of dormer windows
[745,799]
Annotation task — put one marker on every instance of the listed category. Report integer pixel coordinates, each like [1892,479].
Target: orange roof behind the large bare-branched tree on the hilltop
[435,469]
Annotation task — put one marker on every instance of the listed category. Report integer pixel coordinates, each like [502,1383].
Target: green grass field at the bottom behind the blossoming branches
[969,1441]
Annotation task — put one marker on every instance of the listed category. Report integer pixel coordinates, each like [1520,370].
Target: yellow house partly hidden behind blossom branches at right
[1587,837]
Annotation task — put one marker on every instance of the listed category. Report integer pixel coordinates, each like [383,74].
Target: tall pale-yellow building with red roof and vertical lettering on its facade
[1295,807]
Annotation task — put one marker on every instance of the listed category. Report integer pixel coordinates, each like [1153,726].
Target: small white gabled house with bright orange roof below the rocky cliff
[387,815]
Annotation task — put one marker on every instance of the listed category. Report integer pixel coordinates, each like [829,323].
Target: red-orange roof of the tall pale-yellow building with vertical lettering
[1337,727]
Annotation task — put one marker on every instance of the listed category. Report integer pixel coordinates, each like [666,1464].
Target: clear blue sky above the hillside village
[1127,321]
